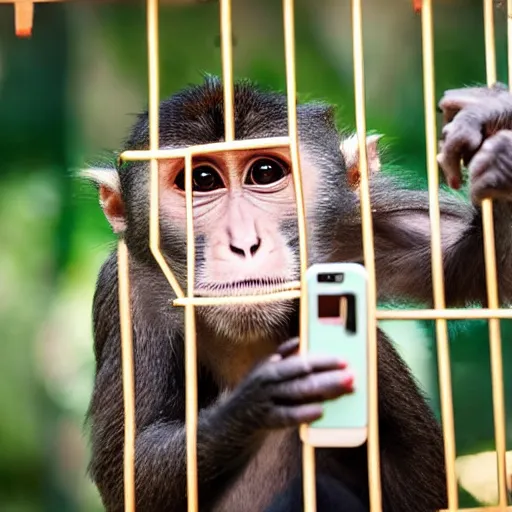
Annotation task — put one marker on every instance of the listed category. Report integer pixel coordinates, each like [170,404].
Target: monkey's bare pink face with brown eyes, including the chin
[245,227]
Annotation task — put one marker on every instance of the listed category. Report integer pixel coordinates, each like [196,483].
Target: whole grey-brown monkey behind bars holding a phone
[254,389]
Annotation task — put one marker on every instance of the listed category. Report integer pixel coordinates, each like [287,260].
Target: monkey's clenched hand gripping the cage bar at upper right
[478,132]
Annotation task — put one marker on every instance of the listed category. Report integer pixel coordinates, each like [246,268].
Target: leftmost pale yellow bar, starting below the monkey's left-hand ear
[128,377]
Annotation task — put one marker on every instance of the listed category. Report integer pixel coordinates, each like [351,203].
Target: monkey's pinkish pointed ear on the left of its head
[109,190]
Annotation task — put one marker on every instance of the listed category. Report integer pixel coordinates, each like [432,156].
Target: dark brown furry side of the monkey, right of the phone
[412,471]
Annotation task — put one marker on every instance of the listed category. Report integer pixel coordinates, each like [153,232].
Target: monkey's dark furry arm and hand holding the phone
[285,390]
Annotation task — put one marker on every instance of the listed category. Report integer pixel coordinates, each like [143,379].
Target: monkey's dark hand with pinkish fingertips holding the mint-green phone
[287,389]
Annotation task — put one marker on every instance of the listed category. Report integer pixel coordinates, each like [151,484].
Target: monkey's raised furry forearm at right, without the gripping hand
[403,248]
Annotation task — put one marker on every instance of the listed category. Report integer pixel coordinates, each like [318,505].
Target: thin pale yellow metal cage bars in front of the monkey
[185,298]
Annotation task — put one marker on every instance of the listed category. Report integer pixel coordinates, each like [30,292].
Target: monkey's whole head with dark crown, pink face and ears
[244,208]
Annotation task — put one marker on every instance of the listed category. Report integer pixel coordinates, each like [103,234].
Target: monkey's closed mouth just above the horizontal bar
[243,287]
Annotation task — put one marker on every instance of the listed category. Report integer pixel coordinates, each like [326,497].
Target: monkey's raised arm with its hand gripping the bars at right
[477,132]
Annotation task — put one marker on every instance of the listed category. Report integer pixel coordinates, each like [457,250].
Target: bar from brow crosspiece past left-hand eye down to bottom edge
[190,350]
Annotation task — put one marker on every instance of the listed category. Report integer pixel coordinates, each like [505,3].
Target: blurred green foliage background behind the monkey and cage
[67,98]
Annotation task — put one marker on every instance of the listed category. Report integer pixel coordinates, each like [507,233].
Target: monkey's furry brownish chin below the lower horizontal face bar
[248,323]
